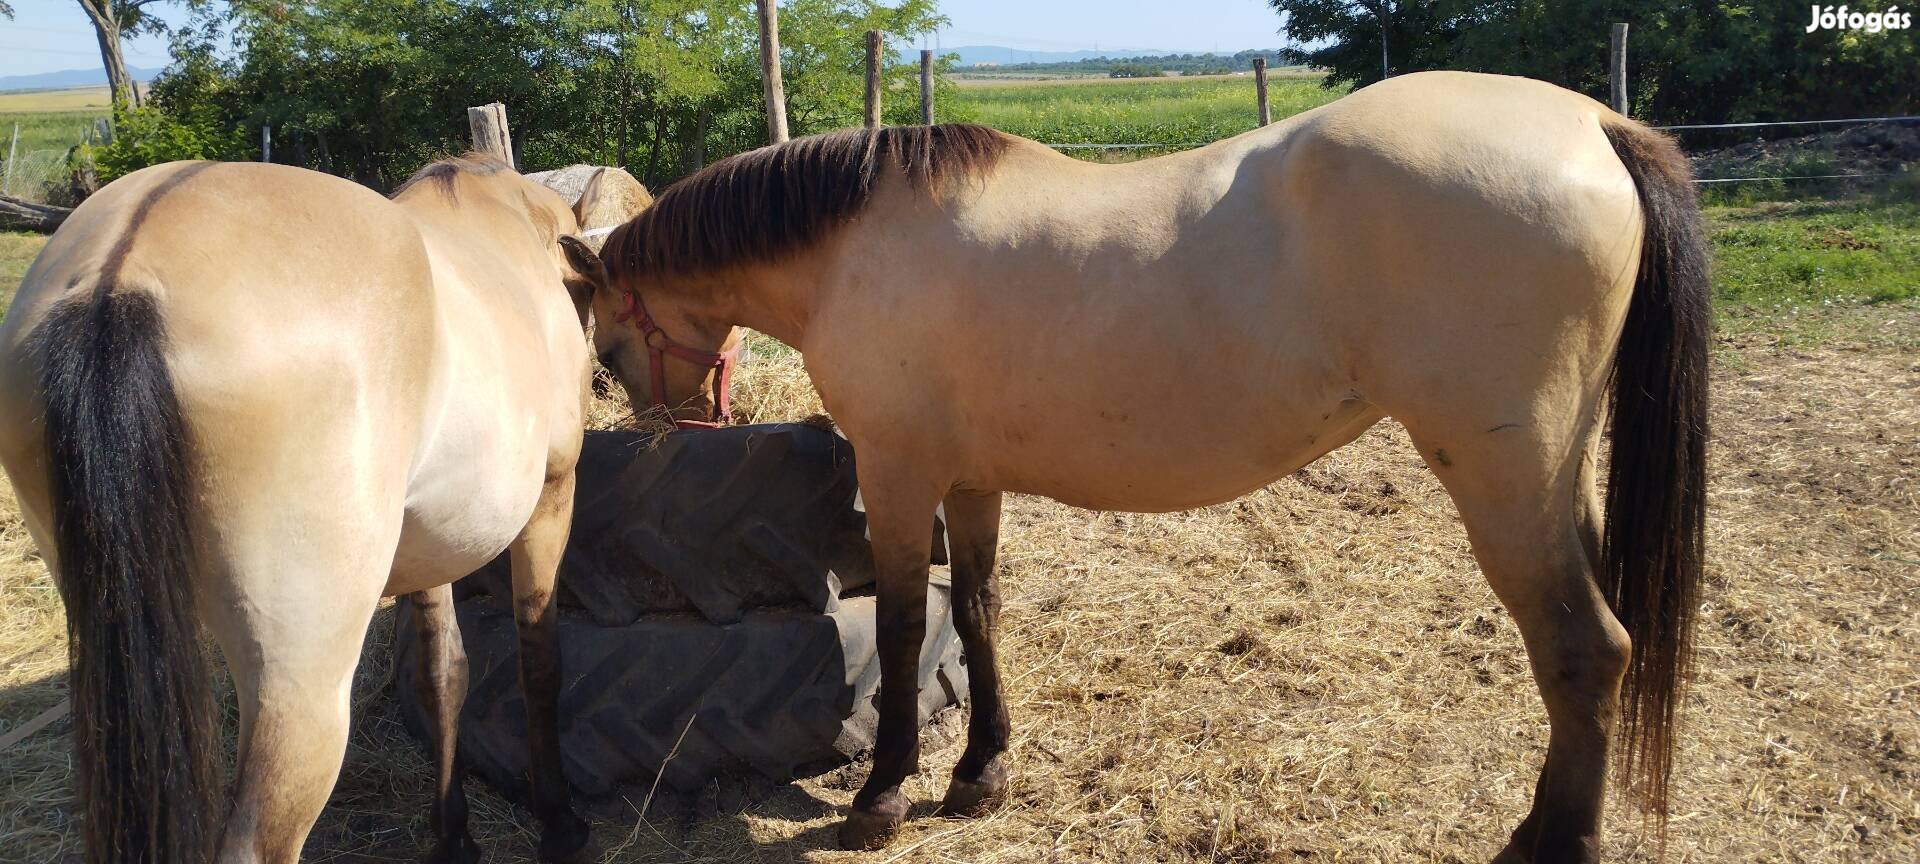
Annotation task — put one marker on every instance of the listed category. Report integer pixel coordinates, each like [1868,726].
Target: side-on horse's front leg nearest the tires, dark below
[900,514]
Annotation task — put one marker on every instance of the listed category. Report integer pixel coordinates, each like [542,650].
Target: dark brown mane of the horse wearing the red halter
[773,203]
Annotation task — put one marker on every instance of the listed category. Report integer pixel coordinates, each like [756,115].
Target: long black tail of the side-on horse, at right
[1658,483]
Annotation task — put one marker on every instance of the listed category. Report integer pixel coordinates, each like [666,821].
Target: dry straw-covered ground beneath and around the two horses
[1314,673]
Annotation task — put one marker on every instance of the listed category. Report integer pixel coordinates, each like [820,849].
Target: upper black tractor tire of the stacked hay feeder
[711,523]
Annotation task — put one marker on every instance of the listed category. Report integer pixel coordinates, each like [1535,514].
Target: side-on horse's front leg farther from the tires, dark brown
[980,777]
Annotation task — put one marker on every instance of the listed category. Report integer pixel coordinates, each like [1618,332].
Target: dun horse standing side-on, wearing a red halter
[1493,262]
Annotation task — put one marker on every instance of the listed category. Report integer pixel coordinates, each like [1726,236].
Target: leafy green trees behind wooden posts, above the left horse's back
[372,89]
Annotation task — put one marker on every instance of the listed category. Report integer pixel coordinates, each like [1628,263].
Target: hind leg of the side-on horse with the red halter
[1527,500]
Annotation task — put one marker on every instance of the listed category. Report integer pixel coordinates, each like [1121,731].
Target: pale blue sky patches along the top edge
[51,36]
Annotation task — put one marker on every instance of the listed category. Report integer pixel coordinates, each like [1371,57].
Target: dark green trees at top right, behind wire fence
[1694,62]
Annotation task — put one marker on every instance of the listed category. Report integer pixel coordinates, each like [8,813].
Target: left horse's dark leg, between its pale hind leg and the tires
[443,688]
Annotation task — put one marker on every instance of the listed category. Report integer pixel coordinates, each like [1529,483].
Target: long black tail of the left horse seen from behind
[118,468]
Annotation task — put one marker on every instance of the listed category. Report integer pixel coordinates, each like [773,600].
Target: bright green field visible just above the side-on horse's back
[1168,112]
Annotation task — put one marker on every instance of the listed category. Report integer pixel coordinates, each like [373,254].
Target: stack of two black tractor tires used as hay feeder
[711,619]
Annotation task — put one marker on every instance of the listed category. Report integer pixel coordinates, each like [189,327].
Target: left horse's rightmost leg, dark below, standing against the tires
[537,562]
